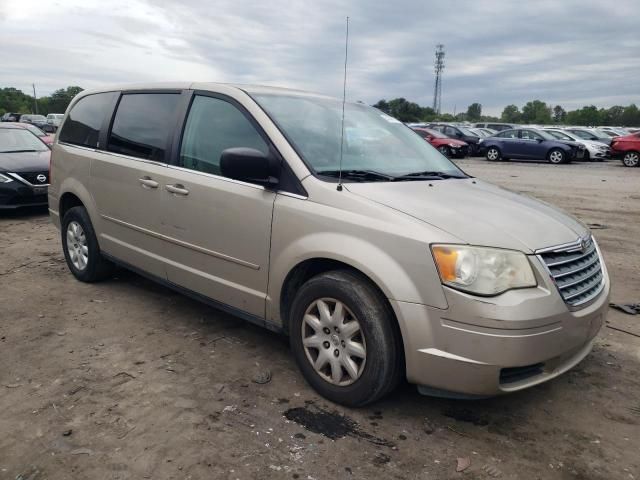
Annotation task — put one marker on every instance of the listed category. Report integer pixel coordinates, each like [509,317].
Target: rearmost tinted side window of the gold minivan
[83,124]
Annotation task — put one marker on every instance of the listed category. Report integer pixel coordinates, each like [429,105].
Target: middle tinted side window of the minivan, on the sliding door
[142,125]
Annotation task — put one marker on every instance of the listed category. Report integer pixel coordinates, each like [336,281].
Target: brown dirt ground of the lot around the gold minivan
[128,380]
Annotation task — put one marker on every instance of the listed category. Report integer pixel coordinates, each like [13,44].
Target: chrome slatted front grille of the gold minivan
[576,271]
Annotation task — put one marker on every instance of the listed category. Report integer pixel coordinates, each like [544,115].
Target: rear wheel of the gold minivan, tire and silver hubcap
[83,255]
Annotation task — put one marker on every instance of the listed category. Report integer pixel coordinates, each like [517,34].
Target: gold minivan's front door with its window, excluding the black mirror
[218,230]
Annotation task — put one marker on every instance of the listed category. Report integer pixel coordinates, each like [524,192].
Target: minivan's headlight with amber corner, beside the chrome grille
[481,270]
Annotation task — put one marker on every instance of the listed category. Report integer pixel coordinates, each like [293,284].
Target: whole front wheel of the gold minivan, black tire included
[374,351]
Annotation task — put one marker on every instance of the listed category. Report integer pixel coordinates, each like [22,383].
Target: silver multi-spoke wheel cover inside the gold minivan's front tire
[333,341]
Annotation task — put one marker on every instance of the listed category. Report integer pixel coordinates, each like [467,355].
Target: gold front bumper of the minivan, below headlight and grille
[480,347]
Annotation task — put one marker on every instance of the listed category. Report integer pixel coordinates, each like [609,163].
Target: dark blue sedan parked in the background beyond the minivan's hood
[530,144]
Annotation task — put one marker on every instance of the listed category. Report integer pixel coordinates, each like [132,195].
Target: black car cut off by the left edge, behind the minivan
[24,168]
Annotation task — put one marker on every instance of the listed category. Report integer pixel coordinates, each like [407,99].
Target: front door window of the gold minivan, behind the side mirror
[213,125]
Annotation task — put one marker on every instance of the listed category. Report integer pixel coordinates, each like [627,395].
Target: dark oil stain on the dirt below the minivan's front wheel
[332,425]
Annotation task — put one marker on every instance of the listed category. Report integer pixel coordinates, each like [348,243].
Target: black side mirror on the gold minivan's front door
[249,165]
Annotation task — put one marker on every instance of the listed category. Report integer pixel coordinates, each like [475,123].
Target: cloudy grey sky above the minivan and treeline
[571,52]
